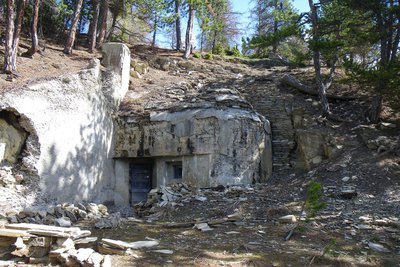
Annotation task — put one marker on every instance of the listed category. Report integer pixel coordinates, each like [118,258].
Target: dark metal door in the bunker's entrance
[140,181]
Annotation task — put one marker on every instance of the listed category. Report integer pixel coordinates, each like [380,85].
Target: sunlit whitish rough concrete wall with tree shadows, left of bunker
[72,117]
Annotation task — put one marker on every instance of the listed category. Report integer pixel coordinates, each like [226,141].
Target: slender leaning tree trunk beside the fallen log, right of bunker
[317,61]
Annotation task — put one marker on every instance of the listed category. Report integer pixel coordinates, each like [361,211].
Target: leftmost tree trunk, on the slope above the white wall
[8,51]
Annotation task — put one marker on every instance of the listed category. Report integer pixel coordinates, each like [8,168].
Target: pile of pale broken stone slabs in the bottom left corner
[44,244]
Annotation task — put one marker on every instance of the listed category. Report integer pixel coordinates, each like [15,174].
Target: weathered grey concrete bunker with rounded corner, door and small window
[202,147]
